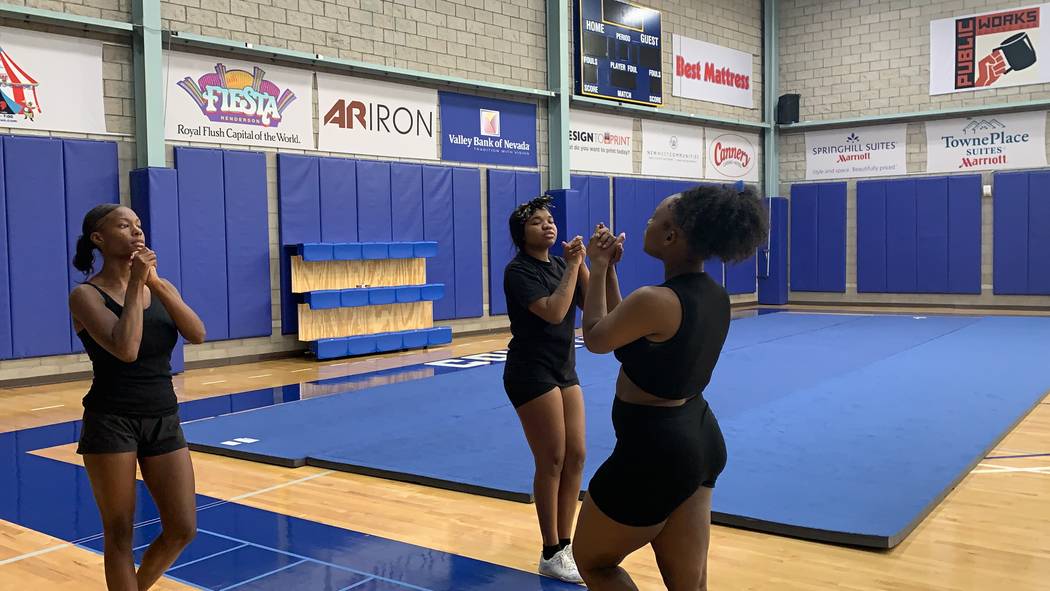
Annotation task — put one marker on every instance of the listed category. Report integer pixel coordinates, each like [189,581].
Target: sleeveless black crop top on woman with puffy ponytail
[681,368]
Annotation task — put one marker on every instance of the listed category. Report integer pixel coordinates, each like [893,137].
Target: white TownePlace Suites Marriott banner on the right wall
[991,143]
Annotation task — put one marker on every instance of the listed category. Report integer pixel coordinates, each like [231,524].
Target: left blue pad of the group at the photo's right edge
[1011,229]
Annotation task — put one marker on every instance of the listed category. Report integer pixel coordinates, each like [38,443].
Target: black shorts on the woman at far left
[116,434]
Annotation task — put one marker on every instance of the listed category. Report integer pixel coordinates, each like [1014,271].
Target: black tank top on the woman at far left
[140,389]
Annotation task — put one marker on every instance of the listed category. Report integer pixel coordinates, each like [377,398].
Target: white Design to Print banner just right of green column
[601,143]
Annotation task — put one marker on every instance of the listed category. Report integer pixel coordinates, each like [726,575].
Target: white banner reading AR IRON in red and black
[368,117]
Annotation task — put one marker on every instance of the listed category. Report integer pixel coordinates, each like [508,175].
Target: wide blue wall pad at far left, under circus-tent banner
[37,247]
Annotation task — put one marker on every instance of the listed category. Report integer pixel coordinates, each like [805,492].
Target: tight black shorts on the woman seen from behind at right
[663,456]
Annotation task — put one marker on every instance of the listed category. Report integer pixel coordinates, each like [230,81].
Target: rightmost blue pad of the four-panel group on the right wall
[964,235]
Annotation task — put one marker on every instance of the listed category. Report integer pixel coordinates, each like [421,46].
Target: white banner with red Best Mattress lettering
[711,73]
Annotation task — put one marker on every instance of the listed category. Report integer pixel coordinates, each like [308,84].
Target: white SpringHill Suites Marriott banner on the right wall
[856,153]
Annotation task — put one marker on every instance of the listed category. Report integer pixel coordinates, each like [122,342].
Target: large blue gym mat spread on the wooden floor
[841,429]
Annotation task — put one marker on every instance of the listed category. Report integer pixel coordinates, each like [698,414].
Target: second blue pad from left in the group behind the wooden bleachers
[338,185]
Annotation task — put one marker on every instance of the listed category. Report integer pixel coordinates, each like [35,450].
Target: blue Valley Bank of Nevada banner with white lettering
[488,131]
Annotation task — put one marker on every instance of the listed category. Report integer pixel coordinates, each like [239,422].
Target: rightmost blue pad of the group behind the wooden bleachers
[467,228]
